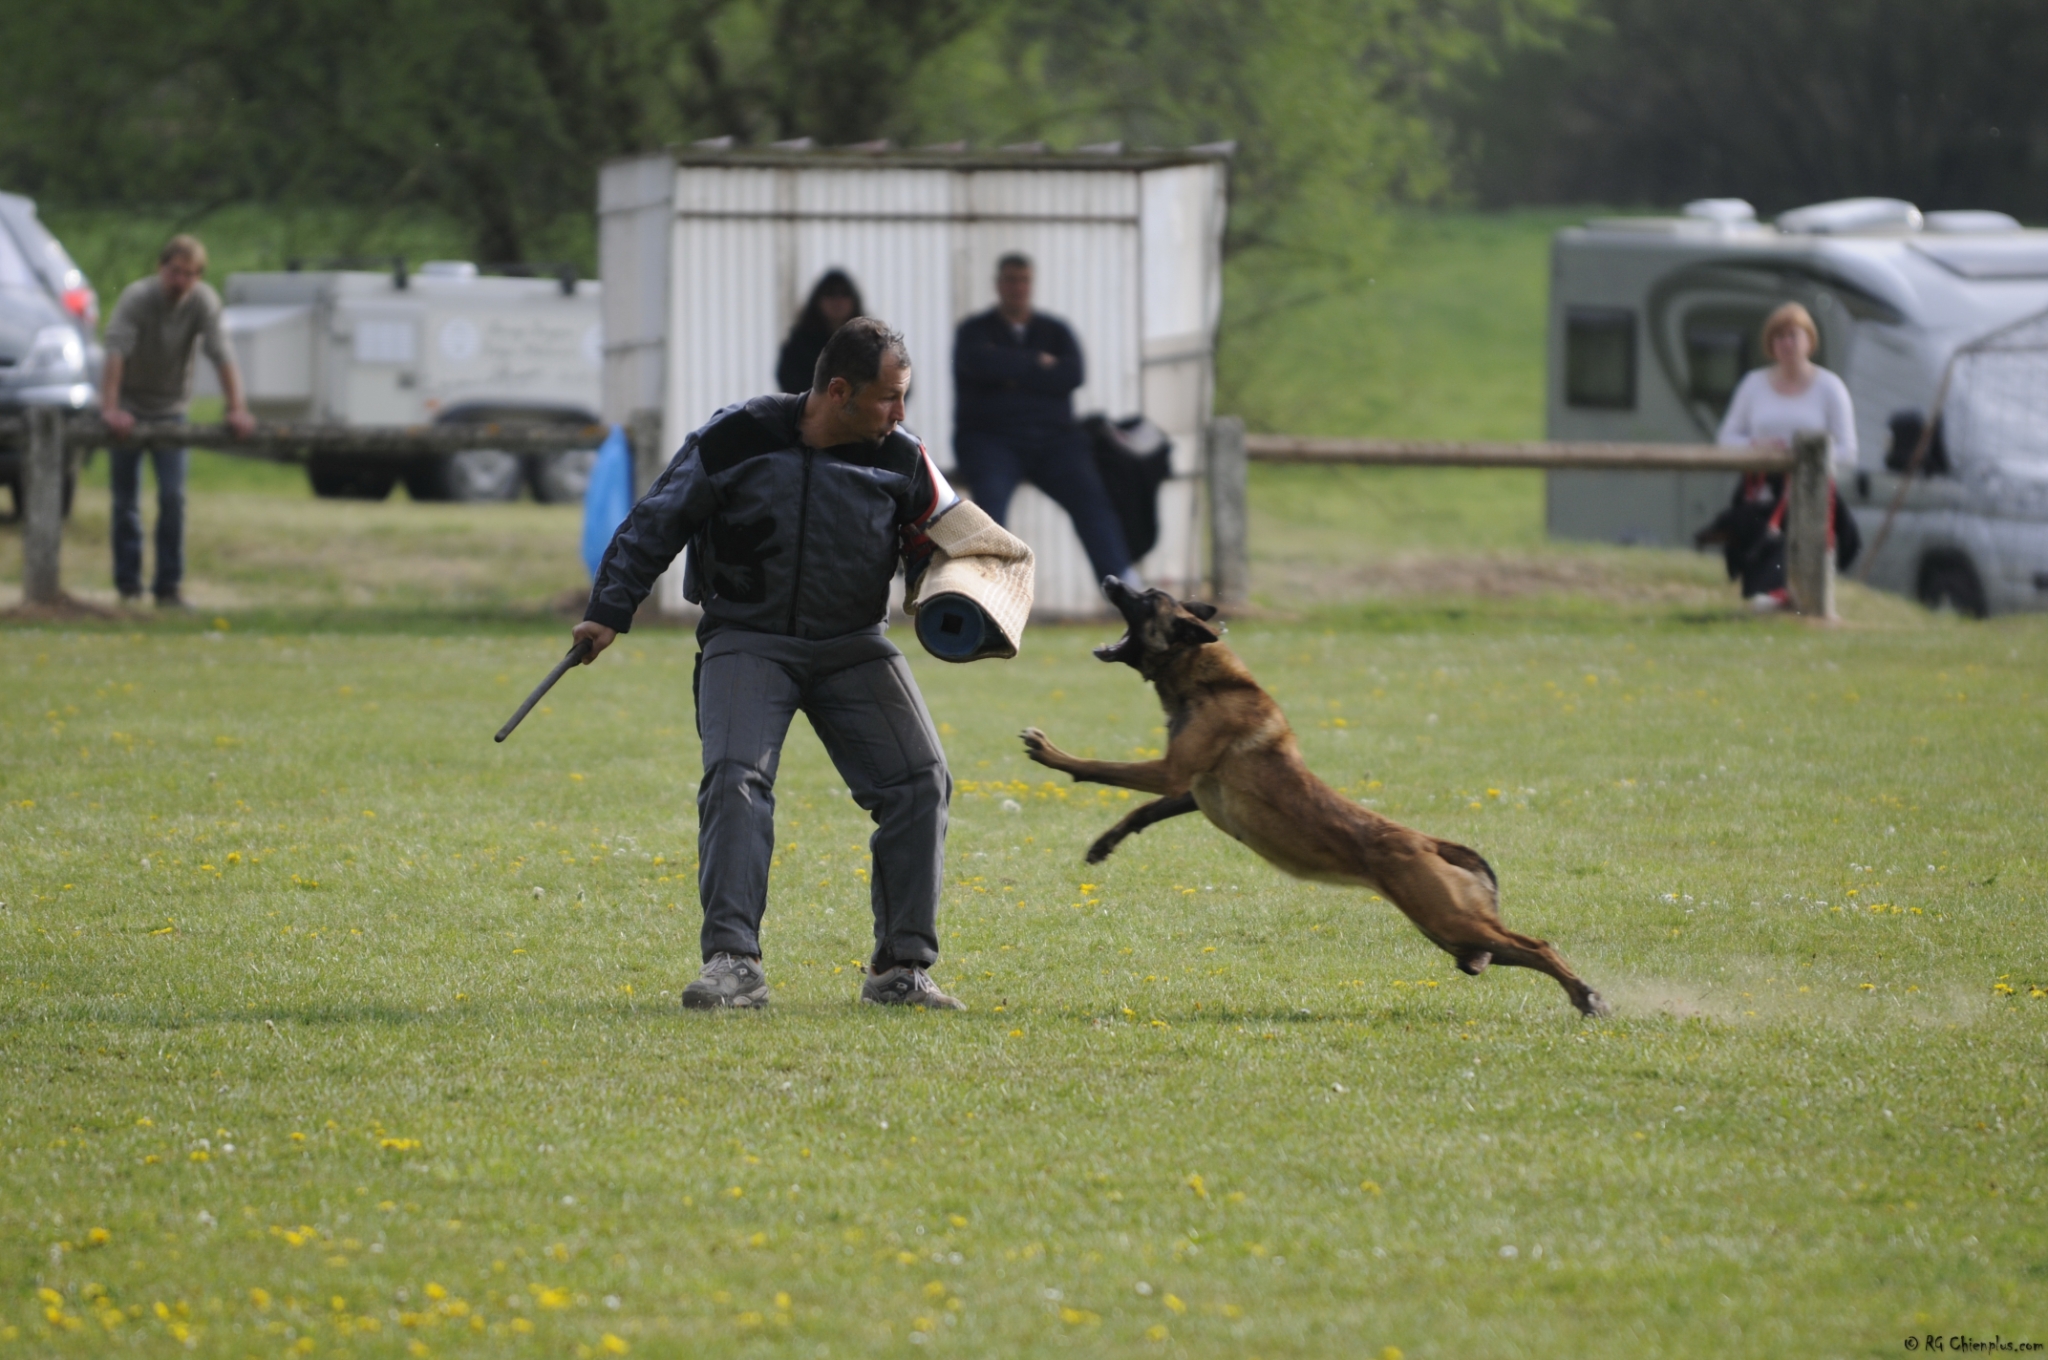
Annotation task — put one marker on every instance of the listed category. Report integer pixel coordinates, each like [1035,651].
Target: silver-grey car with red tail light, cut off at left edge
[48,323]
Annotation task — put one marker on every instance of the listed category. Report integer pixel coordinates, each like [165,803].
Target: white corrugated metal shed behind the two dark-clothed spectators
[710,255]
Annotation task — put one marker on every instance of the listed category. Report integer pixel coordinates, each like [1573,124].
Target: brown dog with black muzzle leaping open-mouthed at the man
[1234,759]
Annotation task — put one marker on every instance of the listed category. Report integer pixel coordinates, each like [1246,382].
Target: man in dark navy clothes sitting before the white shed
[1015,374]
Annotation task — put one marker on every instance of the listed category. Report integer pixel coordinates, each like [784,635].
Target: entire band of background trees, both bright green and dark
[495,114]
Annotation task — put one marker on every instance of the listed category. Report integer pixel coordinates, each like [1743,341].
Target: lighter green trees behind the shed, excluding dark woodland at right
[499,112]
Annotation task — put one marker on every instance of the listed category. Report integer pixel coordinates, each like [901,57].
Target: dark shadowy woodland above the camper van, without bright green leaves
[1777,101]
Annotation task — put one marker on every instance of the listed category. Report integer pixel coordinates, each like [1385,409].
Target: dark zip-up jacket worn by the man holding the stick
[783,538]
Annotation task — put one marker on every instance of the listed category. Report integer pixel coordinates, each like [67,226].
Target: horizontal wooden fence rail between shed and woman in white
[1533,454]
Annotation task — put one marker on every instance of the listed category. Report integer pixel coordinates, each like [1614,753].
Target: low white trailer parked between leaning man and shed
[437,345]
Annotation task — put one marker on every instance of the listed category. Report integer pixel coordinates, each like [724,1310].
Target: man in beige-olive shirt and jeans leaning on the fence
[151,341]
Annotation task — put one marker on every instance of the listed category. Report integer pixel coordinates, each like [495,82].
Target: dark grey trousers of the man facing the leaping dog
[867,710]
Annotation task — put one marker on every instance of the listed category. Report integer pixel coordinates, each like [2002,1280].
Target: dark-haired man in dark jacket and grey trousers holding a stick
[796,511]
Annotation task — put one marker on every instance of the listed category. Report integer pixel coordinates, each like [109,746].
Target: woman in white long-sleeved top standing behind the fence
[1768,409]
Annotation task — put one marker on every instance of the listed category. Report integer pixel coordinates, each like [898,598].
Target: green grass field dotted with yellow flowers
[335,1029]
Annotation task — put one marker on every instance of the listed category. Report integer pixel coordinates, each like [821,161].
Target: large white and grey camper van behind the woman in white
[1654,321]
